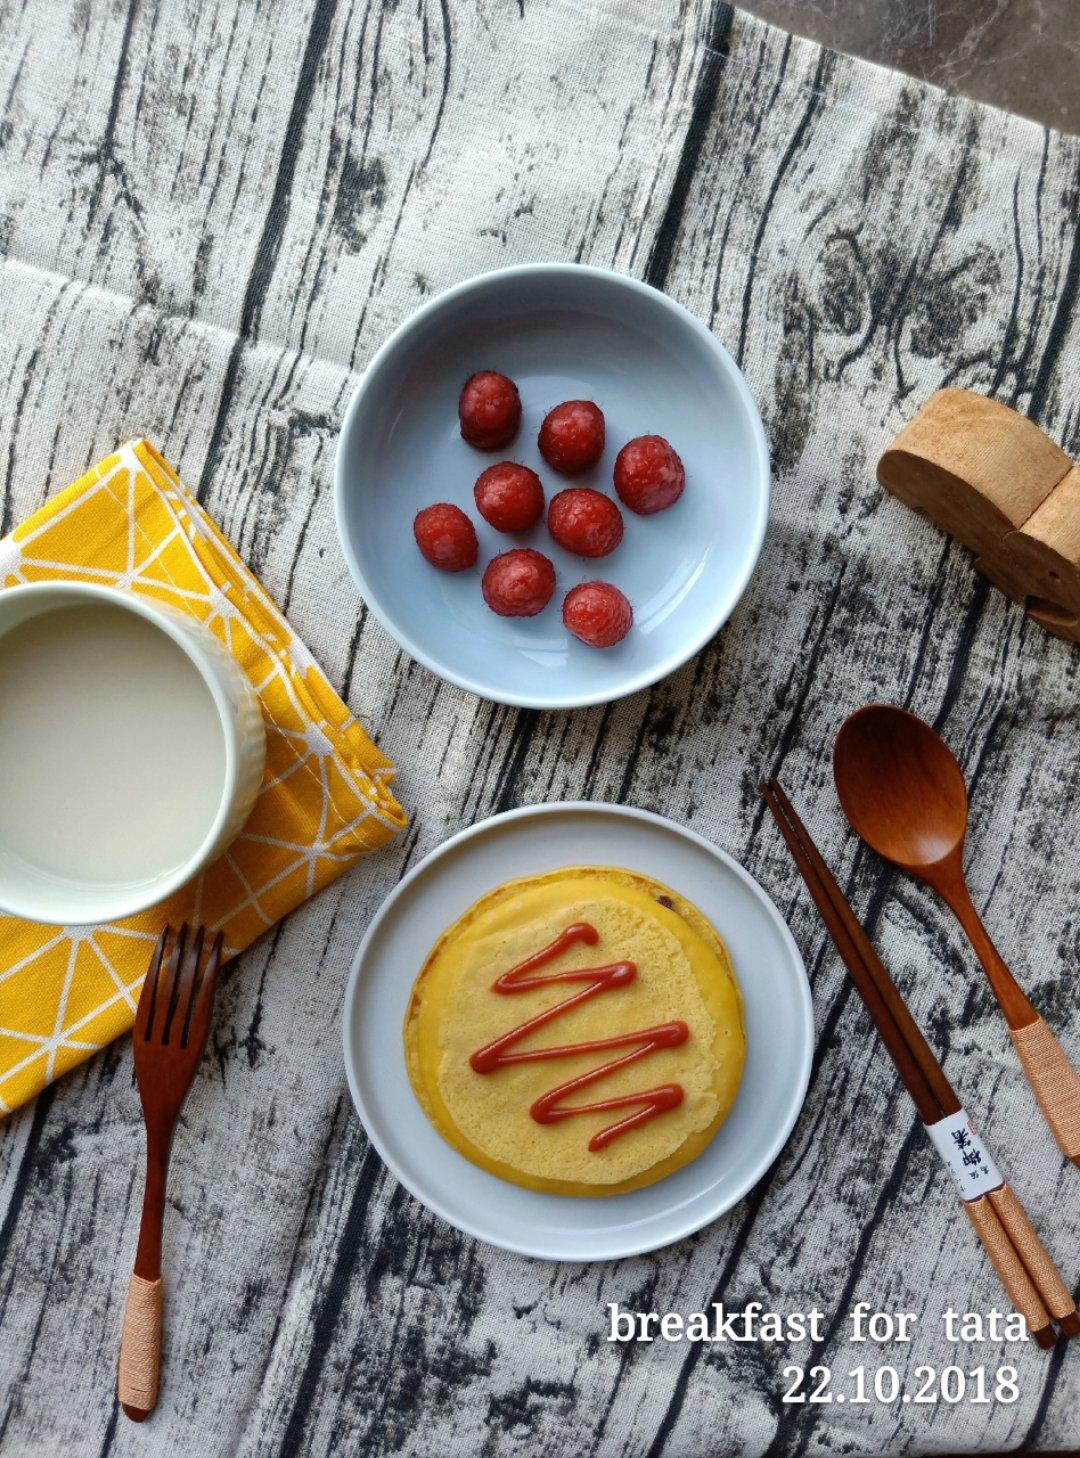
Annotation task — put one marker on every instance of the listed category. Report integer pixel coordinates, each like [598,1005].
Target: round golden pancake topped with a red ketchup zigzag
[578,1033]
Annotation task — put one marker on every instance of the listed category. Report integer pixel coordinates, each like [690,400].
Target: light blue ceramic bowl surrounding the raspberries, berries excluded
[562,332]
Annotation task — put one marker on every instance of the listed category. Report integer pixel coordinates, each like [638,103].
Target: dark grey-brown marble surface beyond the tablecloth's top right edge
[1018,55]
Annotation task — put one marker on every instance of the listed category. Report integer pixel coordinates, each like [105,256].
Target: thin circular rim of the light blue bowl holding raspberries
[727,603]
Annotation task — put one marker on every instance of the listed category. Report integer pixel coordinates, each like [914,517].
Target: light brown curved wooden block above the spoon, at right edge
[1003,489]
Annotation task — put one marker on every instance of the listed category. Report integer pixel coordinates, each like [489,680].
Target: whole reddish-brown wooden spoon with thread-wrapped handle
[904,794]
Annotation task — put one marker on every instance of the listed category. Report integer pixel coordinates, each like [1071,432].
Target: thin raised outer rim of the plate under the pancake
[603,810]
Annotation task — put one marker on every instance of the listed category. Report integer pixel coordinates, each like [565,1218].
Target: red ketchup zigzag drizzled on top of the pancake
[549,1107]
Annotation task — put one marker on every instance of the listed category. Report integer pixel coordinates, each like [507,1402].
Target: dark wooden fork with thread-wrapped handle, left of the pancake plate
[171,1032]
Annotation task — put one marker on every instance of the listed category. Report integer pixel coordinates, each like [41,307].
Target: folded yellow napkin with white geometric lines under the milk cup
[326,800]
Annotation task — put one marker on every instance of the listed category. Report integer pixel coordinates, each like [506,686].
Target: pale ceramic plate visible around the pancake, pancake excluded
[779,1029]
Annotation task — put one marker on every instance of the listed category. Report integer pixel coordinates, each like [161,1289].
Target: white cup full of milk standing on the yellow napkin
[132,750]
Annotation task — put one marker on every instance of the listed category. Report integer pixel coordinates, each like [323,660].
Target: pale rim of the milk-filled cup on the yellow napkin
[113,905]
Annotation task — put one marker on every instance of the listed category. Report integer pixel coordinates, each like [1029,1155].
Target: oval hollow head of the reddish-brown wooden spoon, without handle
[901,788]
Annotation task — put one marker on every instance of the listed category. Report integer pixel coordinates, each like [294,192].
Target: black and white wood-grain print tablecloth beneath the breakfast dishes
[211,217]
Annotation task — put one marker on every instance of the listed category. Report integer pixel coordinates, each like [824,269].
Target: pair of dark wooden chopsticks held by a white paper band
[1018,1255]
